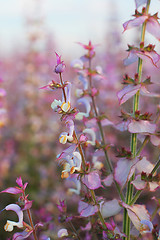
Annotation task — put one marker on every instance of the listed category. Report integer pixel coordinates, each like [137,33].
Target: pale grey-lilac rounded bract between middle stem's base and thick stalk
[110,208]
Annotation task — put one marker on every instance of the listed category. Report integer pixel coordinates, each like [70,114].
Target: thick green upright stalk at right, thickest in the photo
[133,145]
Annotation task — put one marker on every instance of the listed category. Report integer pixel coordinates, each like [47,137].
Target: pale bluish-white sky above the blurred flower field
[69,21]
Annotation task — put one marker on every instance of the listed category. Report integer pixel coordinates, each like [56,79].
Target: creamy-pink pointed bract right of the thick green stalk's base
[137,213]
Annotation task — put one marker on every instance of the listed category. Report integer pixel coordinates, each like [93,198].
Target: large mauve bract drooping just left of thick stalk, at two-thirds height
[122,170]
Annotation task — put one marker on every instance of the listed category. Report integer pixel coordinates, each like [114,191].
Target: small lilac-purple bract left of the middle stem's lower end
[86,209]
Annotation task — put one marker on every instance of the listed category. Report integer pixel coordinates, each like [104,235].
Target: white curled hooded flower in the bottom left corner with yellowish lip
[10,224]
